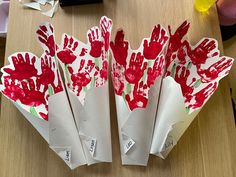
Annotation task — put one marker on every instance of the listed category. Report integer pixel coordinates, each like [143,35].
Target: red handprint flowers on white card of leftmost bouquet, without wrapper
[29,80]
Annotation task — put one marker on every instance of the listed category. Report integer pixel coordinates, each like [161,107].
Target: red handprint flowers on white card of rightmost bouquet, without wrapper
[197,69]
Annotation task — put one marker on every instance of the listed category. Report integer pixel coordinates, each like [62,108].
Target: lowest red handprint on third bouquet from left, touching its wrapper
[139,97]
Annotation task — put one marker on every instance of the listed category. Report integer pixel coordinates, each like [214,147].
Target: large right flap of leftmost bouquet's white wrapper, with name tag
[63,135]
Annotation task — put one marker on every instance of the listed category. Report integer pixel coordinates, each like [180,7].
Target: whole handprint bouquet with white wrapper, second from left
[85,68]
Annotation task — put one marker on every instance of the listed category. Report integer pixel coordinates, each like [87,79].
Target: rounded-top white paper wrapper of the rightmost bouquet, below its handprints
[172,118]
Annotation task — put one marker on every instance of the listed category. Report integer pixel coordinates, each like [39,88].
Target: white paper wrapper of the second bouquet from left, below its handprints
[93,122]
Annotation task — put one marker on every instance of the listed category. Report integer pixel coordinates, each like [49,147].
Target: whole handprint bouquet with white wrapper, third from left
[136,78]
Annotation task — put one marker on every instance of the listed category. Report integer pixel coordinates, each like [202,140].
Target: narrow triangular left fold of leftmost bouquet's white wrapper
[41,125]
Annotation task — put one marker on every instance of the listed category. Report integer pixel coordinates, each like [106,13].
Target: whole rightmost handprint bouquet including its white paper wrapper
[193,74]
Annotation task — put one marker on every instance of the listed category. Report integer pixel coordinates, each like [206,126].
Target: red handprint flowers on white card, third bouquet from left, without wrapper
[135,71]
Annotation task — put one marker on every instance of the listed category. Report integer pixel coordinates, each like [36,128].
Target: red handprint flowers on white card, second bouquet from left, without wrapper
[86,65]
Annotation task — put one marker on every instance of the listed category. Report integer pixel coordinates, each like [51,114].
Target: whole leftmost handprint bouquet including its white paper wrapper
[34,85]
